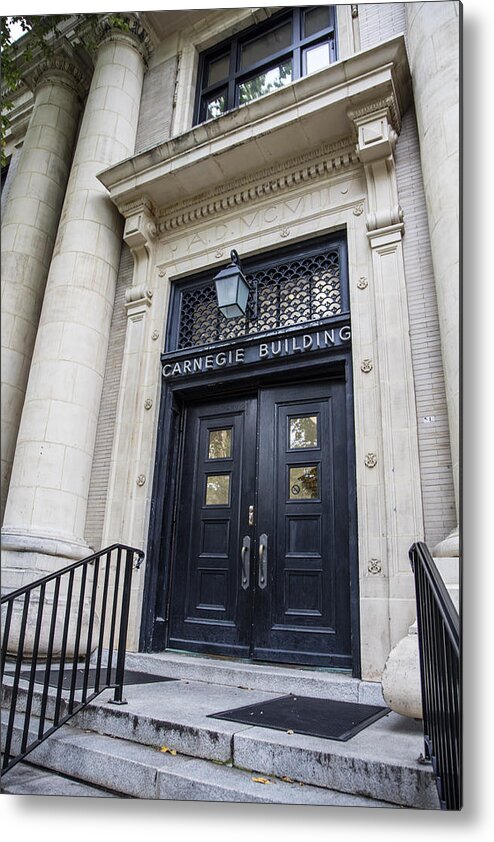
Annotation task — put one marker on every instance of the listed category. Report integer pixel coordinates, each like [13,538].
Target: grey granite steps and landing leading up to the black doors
[380,763]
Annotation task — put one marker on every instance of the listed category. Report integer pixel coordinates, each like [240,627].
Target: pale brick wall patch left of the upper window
[155,115]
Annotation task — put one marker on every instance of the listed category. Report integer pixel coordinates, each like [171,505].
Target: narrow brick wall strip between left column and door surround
[106,420]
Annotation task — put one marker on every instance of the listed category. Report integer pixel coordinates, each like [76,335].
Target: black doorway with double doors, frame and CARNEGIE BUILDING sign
[252,549]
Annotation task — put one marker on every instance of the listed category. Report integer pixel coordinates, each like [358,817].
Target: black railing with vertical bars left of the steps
[73,617]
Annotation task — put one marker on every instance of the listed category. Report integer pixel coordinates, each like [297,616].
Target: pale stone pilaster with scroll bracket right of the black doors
[398,445]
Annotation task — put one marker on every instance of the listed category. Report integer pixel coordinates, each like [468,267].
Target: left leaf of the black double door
[210,611]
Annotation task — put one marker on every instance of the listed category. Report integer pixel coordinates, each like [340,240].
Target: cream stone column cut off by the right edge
[433,45]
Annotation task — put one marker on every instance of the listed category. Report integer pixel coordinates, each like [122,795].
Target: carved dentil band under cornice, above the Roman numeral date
[314,165]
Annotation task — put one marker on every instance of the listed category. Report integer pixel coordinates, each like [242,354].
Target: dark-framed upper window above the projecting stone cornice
[262,59]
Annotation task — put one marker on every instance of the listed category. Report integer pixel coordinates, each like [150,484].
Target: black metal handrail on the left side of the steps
[59,630]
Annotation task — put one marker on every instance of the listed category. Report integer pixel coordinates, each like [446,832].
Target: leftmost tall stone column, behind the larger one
[29,228]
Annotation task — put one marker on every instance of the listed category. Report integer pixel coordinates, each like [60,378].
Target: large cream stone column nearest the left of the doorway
[46,507]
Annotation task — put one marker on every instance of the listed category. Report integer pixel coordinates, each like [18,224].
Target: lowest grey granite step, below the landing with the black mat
[139,771]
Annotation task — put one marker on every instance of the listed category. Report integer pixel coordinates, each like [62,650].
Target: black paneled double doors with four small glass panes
[261,547]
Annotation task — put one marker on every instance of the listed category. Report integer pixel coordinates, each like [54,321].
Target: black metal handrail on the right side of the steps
[439,651]
